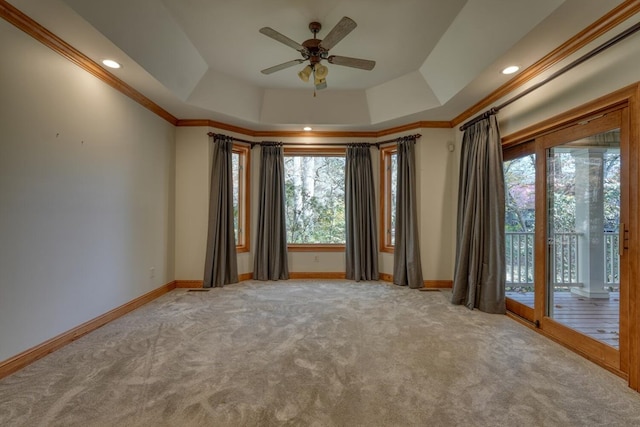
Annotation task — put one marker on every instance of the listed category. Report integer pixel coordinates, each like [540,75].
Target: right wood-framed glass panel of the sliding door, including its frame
[581,209]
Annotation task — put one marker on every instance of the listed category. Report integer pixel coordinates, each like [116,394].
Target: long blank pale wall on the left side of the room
[86,191]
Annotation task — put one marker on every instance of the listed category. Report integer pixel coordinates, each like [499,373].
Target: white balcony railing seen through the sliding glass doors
[519,250]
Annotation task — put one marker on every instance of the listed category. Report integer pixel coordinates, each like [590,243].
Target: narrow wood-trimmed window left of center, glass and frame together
[240,171]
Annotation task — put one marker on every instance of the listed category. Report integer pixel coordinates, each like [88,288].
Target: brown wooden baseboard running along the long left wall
[29,356]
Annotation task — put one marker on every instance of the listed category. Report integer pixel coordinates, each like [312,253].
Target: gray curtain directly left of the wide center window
[270,259]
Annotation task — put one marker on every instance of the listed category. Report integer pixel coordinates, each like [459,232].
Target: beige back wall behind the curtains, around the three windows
[437,184]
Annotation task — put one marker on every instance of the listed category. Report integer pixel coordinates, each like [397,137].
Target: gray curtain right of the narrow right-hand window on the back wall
[407,268]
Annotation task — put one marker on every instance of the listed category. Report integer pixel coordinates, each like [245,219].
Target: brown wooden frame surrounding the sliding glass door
[626,97]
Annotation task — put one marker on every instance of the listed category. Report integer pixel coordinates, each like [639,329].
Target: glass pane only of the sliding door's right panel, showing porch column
[583,199]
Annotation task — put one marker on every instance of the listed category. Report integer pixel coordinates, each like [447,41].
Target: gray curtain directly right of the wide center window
[360,206]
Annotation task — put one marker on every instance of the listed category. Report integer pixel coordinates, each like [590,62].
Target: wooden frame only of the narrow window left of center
[243,238]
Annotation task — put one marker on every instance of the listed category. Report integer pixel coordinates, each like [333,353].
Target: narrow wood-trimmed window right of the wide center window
[388,178]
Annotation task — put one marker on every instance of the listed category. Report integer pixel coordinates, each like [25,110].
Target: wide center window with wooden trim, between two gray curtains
[314,198]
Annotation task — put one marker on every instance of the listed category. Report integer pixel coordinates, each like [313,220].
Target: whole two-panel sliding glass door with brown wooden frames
[566,206]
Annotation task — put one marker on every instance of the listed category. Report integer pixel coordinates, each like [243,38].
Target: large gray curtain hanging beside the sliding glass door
[479,278]
